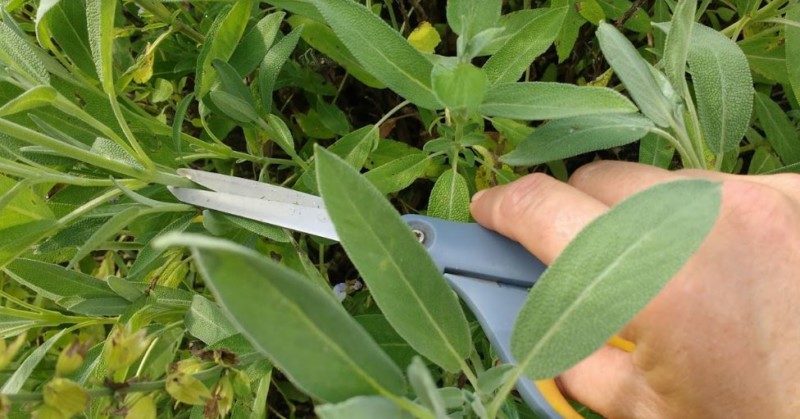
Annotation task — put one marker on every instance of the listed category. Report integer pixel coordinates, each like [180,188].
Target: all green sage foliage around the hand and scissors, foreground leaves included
[120,301]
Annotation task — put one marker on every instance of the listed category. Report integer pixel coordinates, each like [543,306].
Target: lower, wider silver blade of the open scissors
[301,218]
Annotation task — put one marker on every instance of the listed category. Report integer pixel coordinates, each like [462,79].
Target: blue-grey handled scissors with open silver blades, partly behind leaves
[489,272]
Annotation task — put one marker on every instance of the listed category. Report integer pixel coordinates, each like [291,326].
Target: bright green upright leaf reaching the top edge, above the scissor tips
[221,41]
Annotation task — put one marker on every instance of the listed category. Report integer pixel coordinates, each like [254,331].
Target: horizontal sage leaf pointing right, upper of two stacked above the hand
[539,100]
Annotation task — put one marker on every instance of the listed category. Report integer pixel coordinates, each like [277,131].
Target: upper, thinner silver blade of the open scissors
[250,188]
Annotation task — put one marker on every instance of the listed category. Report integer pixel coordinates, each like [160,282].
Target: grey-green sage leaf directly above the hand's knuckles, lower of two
[562,138]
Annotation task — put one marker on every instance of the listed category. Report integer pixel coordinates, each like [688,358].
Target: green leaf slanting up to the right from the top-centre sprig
[517,54]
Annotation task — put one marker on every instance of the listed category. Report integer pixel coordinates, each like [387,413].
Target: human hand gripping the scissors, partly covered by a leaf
[722,338]
